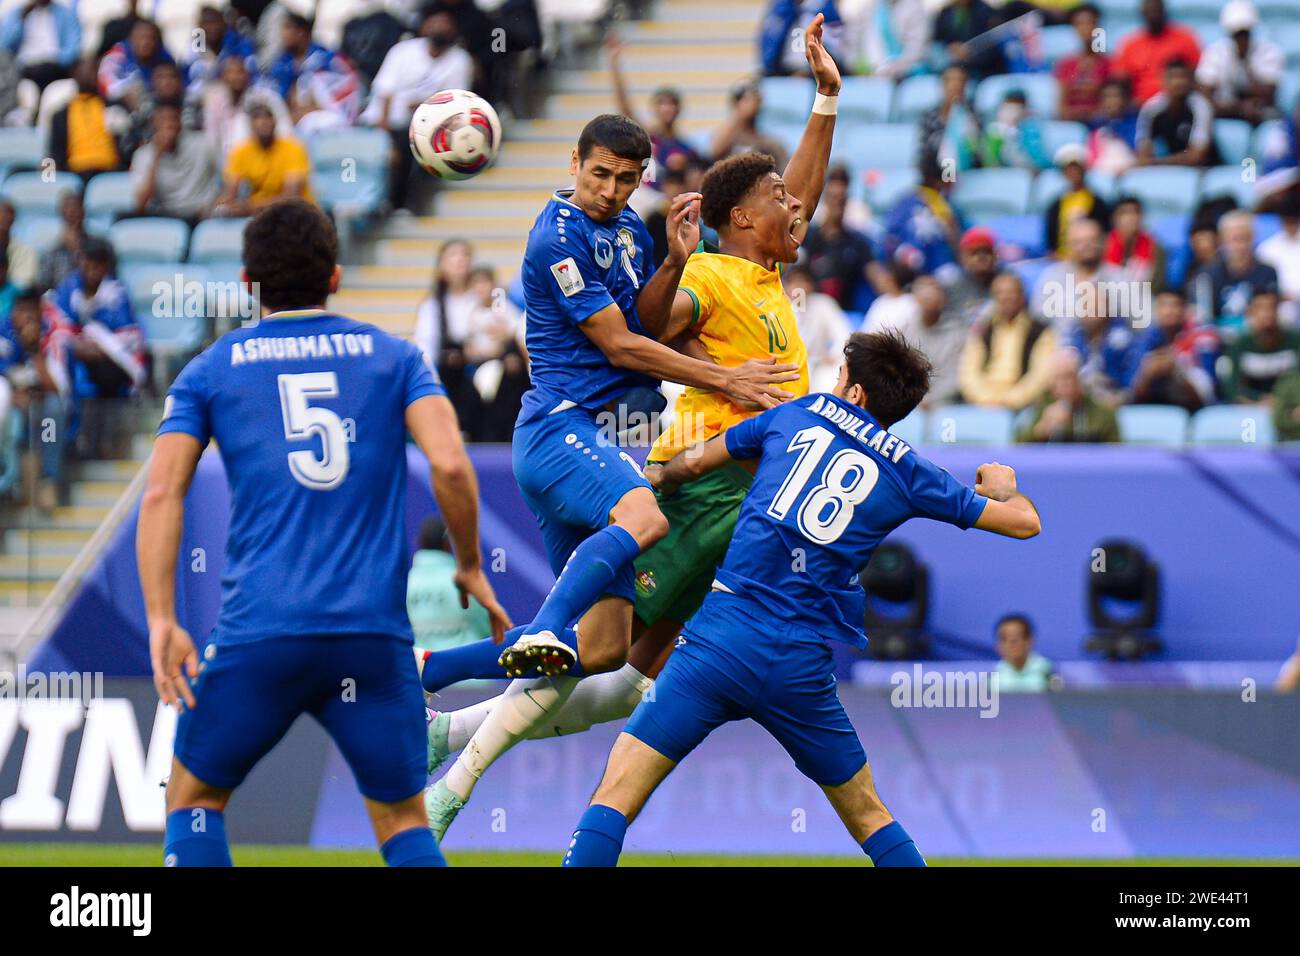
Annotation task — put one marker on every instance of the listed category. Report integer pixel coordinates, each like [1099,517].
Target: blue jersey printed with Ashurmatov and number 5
[309,413]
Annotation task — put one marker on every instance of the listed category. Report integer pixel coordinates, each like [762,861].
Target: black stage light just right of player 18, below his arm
[898,587]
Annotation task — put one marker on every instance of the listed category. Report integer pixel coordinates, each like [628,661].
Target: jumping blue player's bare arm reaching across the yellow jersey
[755,382]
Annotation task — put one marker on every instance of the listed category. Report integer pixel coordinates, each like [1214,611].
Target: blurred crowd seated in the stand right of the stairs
[1069,213]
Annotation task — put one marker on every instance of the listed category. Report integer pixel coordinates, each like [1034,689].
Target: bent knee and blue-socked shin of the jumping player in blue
[597,564]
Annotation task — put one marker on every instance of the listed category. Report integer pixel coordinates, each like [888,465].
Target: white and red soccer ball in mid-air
[456,135]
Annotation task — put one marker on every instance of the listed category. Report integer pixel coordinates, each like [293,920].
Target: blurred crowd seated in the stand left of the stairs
[181,140]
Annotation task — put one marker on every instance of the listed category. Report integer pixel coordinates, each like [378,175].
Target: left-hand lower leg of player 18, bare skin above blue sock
[634,772]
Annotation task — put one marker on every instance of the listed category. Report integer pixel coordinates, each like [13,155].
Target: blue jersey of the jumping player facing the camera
[575,267]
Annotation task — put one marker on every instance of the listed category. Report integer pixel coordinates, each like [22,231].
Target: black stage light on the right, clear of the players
[1124,602]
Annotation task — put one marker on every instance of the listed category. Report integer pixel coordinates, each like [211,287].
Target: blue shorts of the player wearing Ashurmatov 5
[363,690]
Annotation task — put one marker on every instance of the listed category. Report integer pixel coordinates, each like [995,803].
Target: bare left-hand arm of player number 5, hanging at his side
[158,540]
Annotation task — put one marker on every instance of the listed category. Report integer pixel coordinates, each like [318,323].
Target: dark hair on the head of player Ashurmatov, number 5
[289,250]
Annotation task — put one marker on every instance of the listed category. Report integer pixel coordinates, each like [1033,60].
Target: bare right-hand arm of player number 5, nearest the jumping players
[432,423]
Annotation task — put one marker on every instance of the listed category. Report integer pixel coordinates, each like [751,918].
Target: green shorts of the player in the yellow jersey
[677,574]
